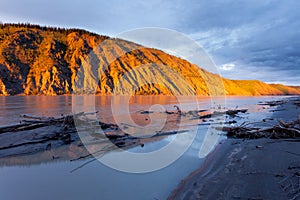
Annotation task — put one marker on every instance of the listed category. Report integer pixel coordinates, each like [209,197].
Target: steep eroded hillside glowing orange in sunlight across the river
[37,60]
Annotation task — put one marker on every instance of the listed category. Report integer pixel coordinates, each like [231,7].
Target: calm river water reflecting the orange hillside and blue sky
[31,177]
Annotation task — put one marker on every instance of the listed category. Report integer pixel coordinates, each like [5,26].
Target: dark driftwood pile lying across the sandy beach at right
[281,130]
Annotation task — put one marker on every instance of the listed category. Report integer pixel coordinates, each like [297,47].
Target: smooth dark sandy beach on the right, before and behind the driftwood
[248,169]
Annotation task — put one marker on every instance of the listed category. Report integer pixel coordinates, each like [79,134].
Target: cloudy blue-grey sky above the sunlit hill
[247,39]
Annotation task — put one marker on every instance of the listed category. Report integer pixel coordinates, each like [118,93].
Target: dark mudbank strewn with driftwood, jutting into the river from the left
[36,133]
